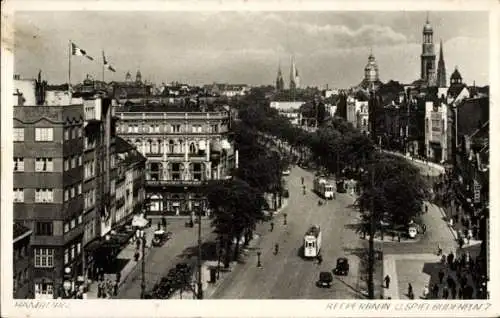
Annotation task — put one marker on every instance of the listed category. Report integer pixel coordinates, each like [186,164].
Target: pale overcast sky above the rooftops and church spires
[246,47]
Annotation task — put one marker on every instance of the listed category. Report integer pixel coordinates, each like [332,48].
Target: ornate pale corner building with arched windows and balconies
[185,146]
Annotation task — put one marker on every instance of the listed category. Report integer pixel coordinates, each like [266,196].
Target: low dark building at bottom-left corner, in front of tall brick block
[23,263]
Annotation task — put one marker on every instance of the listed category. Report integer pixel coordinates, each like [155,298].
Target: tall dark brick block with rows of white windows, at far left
[64,179]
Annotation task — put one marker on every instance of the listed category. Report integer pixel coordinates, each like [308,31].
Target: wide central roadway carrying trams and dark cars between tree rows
[287,275]
